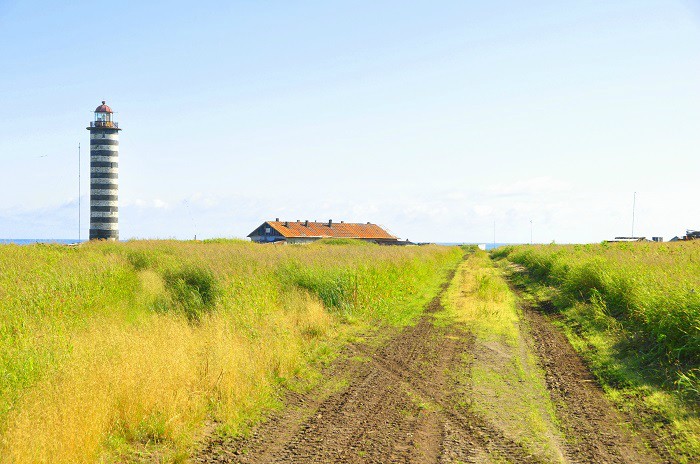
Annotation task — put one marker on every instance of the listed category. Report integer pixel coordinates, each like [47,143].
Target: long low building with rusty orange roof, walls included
[295,232]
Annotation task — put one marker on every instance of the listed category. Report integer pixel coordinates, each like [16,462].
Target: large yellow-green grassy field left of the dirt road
[126,351]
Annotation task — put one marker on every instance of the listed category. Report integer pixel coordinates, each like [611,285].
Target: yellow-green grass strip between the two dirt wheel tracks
[507,386]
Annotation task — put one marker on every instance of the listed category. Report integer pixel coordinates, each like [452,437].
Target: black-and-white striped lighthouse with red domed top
[104,172]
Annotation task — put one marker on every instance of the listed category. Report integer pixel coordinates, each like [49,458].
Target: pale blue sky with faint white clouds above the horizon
[447,121]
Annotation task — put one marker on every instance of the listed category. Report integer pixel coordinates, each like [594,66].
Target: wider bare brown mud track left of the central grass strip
[399,406]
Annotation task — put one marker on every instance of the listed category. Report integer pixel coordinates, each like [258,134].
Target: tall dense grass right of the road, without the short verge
[652,289]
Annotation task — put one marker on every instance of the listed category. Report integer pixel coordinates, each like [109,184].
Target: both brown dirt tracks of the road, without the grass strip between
[407,400]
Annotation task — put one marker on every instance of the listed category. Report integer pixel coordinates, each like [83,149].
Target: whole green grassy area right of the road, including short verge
[633,311]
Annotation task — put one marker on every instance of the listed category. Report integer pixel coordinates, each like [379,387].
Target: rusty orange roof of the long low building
[336,229]
